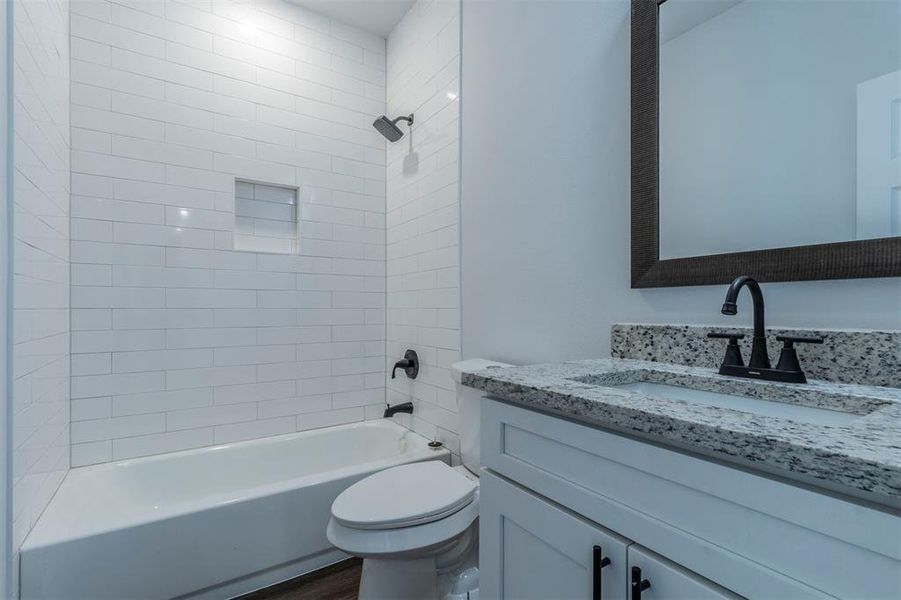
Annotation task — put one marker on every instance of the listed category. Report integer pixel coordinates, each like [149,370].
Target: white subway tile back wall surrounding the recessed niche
[178,340]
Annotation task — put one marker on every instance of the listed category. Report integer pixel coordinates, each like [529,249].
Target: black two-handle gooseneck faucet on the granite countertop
[788,369]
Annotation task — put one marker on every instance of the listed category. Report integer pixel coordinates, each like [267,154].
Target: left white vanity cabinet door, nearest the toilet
[533,549]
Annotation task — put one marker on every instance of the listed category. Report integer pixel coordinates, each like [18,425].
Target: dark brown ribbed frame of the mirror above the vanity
[841,260]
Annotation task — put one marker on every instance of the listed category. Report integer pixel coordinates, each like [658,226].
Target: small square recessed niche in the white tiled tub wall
[265,218]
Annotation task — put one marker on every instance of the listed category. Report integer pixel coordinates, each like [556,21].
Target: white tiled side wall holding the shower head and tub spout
[422,220]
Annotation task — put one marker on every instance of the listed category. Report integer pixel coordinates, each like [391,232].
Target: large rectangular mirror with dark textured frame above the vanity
[778,126]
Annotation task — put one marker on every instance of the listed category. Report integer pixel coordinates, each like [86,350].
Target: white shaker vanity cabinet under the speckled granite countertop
[552,489]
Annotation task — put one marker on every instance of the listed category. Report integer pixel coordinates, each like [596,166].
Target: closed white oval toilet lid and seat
[403,496]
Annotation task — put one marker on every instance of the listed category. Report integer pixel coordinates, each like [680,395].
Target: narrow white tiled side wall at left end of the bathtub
[40,401]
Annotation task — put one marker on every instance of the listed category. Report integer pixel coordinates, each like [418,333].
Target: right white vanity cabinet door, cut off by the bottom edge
[652,577]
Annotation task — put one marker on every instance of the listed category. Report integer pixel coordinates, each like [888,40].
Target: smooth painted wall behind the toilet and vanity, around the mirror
[545,196]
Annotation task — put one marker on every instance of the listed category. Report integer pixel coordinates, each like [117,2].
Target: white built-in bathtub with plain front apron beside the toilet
[209,523]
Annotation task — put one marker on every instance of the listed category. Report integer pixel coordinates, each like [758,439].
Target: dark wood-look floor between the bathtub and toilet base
[340,581]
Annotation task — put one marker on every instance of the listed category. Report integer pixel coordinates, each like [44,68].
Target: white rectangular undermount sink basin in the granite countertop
[795,412]
